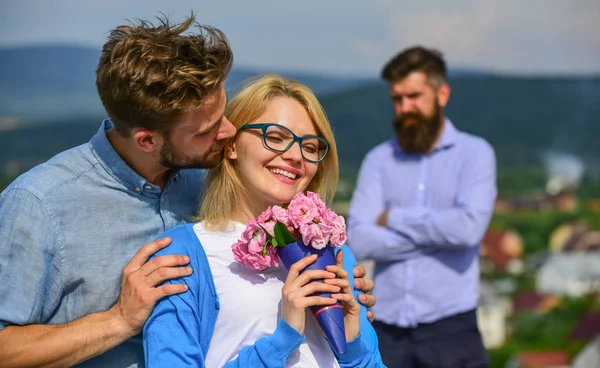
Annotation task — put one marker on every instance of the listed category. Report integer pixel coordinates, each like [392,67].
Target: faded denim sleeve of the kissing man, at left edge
[31,284]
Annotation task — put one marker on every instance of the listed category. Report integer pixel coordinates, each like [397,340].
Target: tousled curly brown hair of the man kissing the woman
[149,76]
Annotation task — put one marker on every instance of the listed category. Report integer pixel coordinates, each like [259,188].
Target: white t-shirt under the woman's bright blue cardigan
[251,304]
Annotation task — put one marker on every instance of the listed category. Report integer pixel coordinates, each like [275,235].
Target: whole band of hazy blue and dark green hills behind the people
[51,91]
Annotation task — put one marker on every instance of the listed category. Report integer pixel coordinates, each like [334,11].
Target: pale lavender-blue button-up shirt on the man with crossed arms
[440,205]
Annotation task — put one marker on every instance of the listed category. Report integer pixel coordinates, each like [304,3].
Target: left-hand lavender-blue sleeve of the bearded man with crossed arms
[367,239]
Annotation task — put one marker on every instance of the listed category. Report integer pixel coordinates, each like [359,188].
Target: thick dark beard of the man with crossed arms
[421,133]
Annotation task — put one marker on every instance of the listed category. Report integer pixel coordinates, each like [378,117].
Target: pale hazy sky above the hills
[343,37]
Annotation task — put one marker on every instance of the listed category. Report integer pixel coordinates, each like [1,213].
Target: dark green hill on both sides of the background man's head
[521,117]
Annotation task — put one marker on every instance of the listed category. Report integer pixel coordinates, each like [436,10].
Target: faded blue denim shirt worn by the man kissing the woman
[70,225]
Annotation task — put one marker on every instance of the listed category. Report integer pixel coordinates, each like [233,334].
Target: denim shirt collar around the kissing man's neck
[116,166]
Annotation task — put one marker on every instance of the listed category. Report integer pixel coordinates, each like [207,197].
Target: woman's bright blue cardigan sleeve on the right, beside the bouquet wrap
[363,351]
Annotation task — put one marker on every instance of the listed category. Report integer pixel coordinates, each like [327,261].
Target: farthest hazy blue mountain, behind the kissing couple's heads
[52,81]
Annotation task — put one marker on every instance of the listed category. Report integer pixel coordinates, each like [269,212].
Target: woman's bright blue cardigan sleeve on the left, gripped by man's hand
[179,330]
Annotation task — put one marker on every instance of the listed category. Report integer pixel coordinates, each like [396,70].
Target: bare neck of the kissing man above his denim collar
[144,164]
